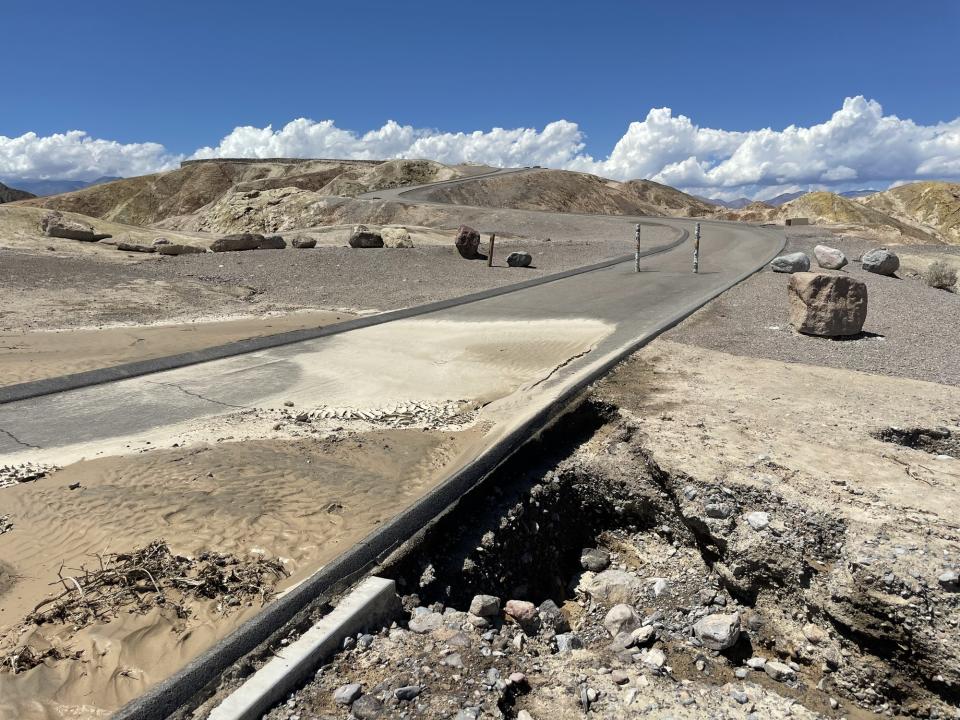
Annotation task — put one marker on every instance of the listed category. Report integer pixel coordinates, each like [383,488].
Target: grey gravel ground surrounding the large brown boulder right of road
[911,330]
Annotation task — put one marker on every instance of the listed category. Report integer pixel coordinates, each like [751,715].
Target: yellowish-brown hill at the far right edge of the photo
[928,206]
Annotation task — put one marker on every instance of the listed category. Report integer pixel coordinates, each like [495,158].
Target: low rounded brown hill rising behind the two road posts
[565,191]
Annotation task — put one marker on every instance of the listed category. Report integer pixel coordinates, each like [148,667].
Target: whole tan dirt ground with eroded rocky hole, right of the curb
[707,536]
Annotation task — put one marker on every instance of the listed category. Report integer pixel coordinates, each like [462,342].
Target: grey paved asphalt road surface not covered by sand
[636,304]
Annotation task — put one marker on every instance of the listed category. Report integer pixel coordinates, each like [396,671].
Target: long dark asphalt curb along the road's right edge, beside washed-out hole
[165,698]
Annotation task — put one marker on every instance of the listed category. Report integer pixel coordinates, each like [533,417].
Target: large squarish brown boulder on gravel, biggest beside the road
[827,305]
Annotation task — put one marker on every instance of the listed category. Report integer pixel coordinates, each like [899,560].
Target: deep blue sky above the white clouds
[184,75]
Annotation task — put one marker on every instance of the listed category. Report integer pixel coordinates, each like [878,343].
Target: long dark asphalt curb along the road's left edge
[63,383]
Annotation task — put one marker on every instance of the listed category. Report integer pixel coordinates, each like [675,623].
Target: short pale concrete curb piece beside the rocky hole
[373,603]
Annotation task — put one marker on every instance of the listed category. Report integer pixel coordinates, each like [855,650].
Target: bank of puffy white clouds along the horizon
[858,146]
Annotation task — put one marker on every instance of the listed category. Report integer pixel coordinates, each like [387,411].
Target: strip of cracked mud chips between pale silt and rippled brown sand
[400,415]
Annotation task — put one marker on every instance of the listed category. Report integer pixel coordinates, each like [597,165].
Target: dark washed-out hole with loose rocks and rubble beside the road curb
[640,589]
